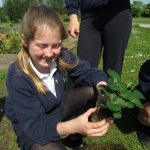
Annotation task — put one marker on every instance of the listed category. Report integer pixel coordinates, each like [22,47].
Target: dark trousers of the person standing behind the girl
[110,31]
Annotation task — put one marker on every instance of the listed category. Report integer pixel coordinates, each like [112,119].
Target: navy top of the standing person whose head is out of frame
[90,8]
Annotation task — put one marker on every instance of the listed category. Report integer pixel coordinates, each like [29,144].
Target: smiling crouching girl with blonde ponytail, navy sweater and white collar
[37,104]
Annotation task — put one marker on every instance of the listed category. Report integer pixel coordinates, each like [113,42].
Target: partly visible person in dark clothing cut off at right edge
[143,115]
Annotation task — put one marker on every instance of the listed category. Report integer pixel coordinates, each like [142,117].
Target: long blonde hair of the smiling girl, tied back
[33,20]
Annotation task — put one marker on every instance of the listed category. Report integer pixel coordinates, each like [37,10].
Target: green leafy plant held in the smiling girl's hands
[119,95]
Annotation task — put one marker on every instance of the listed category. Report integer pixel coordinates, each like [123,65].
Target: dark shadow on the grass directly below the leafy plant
[126,124]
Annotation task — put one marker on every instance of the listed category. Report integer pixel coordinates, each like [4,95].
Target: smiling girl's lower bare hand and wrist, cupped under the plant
[83,126]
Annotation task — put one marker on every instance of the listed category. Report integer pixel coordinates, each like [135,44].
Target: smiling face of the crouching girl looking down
[44,49]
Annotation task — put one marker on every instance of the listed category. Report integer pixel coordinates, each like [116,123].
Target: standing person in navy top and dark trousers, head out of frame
[104,24]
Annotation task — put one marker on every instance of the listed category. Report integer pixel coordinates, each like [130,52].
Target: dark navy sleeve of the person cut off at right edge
[144,79]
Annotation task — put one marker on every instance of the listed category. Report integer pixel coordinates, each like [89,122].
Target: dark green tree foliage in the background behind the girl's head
[16,8]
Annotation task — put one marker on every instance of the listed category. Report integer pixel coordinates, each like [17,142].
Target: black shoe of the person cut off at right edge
[143,133]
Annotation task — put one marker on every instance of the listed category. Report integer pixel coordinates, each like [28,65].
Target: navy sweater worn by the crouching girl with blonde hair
[35,114]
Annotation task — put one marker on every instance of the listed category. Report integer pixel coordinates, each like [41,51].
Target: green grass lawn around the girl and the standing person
[123,131]
